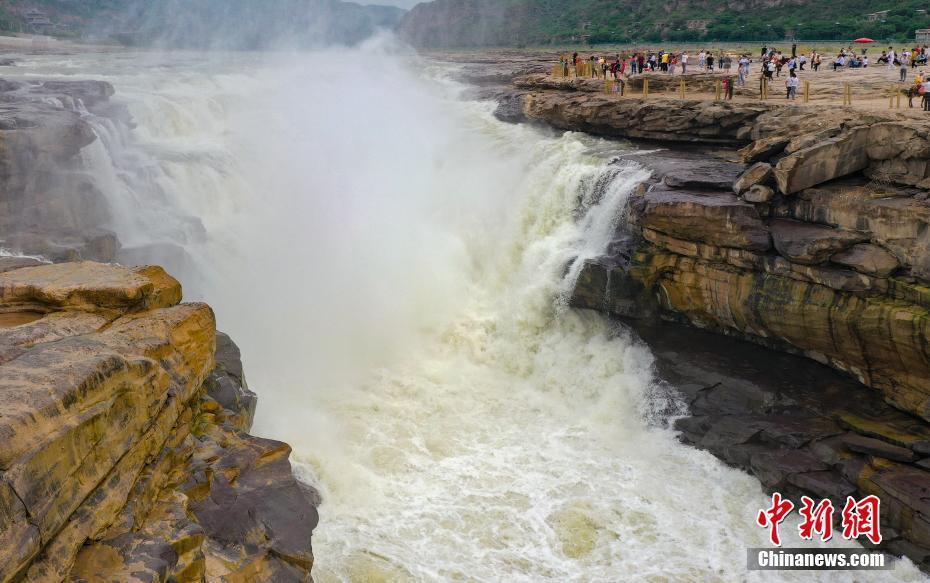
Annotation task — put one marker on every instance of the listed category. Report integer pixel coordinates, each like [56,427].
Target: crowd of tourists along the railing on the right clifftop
[773,64]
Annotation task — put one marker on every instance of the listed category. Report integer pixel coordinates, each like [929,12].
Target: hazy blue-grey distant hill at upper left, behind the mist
[242,24]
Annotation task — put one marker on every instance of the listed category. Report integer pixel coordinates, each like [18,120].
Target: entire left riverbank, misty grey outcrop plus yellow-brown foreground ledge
[125,414]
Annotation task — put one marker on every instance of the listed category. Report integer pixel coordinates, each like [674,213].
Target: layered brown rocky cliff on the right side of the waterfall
[813,238]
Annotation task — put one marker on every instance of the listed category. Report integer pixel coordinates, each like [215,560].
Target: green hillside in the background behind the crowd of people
[459,23]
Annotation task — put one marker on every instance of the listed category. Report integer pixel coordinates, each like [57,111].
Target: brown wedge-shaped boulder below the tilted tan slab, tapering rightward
[811,244]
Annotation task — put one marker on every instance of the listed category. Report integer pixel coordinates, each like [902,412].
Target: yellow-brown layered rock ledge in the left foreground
[124,418]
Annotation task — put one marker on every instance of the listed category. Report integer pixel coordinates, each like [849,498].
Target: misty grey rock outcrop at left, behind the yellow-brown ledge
[50,205]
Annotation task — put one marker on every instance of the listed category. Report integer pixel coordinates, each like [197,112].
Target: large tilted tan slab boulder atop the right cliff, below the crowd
[826,160]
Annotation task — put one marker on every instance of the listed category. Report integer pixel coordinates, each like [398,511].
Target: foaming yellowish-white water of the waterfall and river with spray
[393,262]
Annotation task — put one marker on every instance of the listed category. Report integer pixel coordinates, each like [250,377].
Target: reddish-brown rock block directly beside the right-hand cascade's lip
[715,218]
